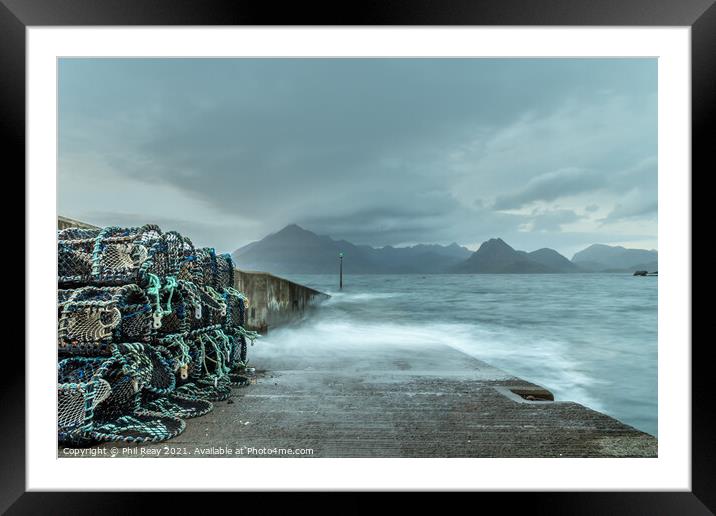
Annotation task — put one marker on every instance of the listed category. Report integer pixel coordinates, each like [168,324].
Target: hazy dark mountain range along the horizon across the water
[295,250]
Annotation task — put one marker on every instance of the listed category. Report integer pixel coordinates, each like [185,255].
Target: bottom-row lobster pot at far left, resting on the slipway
[99,400]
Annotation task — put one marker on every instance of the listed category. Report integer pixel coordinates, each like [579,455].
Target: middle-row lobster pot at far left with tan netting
[91,318]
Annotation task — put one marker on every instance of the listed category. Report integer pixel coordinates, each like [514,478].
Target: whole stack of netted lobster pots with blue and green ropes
[150,333]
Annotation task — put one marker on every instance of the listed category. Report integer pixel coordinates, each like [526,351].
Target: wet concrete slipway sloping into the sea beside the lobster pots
[406,401]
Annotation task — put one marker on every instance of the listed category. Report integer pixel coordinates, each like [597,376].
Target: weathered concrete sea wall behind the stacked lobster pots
[273,301]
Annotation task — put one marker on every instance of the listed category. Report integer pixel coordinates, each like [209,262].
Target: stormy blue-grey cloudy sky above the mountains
[557,153]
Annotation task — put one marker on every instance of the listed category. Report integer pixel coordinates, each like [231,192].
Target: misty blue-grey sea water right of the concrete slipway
[588,338]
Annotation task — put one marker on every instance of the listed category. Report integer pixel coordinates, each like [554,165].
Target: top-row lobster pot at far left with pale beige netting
[117,256]
